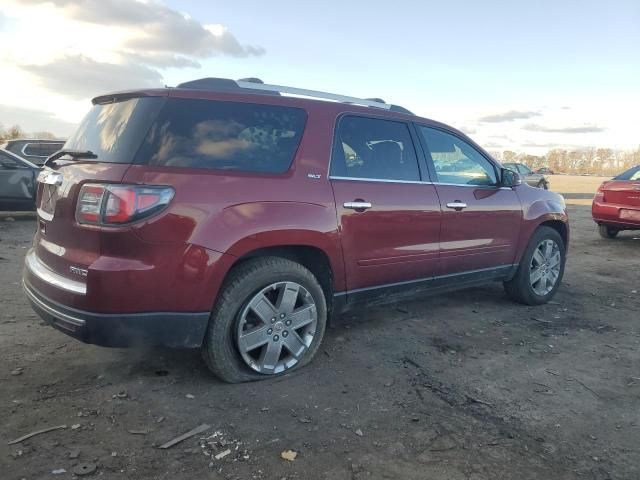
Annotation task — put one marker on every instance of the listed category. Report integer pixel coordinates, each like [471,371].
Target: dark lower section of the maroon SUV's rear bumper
[169,329]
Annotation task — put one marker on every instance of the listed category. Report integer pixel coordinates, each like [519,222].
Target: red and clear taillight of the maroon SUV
[120,204]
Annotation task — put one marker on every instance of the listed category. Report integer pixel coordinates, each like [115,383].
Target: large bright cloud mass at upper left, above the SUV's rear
[57,54]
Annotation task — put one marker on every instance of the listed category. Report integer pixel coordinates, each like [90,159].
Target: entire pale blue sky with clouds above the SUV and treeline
[514,75]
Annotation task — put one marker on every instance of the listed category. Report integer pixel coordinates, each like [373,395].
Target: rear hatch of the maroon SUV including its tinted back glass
[113,131]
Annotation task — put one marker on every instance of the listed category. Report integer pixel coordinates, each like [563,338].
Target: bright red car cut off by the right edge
[616,205]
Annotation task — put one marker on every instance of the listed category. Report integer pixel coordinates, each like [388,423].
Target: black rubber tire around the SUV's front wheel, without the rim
[519,288]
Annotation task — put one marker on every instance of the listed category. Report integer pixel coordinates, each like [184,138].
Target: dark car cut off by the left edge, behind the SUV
[17,182]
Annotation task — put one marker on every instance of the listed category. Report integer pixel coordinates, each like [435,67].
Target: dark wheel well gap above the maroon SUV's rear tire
[312,258]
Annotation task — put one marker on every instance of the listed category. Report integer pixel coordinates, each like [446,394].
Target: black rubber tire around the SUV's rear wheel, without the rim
[219,349]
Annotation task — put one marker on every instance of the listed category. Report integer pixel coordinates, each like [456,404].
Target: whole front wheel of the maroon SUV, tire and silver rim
[541,269]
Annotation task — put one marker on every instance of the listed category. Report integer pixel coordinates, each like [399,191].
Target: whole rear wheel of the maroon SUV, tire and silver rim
[269,319]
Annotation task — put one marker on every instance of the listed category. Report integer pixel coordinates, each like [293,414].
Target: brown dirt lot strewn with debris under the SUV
[461,386]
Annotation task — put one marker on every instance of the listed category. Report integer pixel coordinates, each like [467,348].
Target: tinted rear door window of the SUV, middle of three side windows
[374,148]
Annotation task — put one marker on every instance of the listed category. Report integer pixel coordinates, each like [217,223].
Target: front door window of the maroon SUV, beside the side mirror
[456,161]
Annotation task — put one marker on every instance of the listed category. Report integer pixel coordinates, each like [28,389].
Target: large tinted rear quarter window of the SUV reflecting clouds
[224,136]
